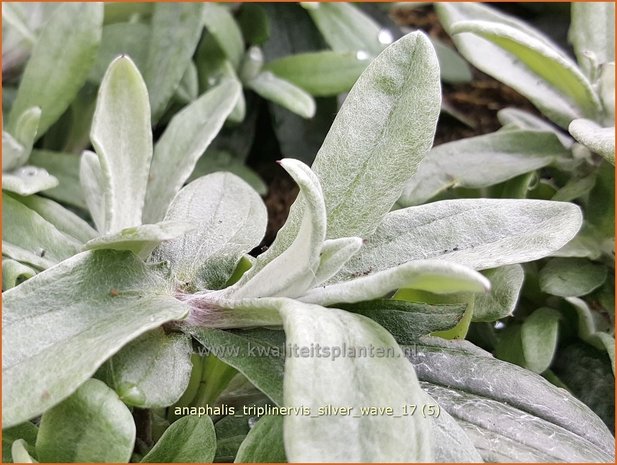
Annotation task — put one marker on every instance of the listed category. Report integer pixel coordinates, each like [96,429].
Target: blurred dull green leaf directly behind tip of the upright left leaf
[131,38]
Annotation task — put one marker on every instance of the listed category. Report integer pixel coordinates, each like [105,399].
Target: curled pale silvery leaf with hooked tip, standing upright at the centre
[288,267]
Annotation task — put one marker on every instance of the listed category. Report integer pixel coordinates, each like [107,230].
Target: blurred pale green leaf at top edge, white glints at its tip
[346,28]
